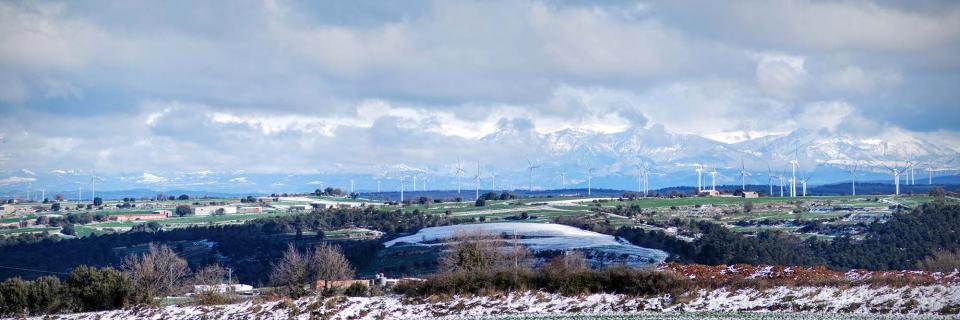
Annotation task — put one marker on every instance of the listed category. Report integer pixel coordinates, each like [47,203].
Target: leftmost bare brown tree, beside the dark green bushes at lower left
[159,272]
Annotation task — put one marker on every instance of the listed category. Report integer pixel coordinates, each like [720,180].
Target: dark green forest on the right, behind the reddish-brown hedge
[899,244]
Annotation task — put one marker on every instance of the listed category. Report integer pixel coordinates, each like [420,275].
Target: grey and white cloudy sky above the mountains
[290,86]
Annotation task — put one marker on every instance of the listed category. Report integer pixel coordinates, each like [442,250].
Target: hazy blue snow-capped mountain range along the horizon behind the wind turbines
[670,156]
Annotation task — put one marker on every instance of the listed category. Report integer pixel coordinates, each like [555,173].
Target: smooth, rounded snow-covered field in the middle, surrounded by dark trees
[544,237]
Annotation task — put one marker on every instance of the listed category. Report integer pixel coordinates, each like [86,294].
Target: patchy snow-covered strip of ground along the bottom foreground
[925,301]
